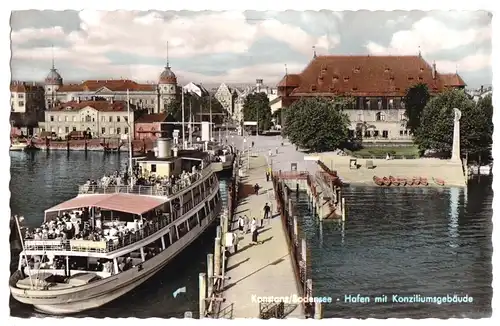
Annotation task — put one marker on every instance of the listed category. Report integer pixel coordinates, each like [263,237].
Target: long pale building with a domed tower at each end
[151,97]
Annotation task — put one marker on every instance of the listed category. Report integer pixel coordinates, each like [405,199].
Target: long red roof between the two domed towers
[115,85]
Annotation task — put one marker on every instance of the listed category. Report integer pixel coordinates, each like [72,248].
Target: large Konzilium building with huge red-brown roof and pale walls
[378,84]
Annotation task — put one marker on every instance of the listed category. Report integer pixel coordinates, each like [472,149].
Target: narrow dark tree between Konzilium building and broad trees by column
[415,101]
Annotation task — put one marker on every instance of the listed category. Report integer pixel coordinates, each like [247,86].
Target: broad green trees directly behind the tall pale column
[436,124]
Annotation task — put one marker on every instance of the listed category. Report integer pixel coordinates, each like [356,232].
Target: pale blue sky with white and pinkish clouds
[239,47]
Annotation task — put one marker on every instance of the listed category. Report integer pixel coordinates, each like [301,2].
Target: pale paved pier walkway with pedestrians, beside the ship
[264,269]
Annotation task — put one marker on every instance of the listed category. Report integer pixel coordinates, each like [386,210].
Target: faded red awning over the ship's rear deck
[127,203]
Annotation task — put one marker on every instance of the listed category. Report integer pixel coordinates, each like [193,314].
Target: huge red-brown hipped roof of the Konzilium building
[364,76]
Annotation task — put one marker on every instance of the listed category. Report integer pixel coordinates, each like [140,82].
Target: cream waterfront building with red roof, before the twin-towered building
[101,119]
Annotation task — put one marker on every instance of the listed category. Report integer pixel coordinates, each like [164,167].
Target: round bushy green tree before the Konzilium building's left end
[318,124]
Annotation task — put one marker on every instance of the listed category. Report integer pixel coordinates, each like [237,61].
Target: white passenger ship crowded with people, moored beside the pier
[124,234]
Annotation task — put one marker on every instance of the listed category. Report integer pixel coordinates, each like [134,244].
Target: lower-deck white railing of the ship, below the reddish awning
[105,246]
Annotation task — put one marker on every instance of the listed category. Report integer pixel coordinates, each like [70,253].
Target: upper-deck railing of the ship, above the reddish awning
[155,190]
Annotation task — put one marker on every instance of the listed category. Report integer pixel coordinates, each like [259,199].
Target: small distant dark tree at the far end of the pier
[257,108]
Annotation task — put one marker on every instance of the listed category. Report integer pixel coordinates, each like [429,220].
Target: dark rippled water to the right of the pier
[431,242]
